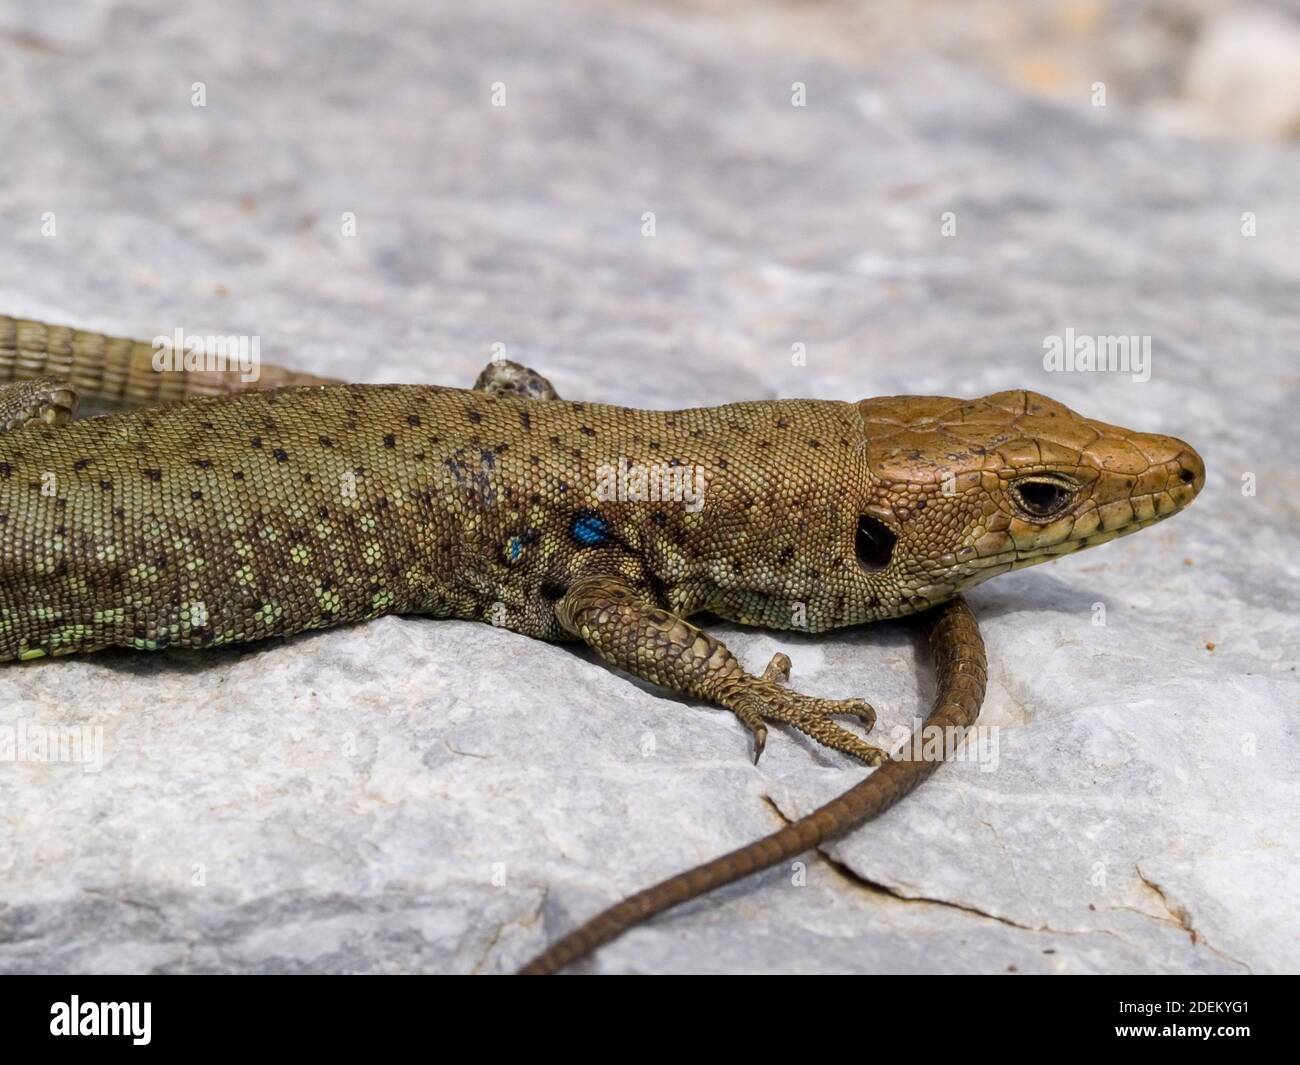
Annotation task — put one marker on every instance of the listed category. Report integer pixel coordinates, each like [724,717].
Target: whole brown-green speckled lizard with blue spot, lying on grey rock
[211,510]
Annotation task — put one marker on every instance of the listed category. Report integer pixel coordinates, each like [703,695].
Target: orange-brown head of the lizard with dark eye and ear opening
[965,490]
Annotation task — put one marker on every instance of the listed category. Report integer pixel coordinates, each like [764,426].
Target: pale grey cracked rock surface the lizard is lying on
[421,796]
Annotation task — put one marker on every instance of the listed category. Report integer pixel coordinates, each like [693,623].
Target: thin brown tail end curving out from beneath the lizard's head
[963,674]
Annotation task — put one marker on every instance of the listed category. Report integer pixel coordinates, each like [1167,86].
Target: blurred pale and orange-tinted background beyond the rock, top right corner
[1199,68]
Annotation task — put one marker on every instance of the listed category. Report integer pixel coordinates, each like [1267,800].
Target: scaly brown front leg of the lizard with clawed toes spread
[657,646]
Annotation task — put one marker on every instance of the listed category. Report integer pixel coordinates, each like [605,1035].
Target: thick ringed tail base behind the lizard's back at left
[122,373]
